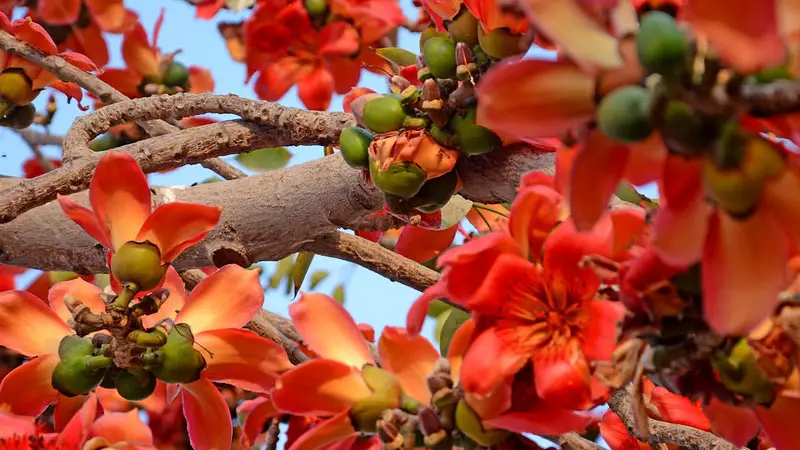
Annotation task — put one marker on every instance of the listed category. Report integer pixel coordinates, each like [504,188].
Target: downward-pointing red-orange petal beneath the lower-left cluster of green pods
[207,416]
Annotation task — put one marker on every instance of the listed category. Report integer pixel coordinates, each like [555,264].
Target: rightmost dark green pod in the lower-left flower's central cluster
[177,361]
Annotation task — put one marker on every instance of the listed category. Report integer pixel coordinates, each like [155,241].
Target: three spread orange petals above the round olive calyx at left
[121,211]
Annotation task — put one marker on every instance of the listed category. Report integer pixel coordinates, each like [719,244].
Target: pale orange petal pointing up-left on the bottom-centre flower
[329,331]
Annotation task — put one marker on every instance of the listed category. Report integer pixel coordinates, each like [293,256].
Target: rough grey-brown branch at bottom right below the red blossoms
[667,433]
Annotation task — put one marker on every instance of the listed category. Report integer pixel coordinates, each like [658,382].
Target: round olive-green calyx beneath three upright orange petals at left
[139,263]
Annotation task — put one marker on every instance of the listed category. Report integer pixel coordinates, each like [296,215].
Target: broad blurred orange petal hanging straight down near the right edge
[743,271]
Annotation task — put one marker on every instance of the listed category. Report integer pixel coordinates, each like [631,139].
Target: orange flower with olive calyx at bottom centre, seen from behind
[333,383]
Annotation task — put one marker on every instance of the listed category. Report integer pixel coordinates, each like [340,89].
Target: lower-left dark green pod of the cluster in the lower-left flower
[79,374]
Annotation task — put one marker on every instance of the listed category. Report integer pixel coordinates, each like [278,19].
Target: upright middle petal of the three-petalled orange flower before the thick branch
[120,196]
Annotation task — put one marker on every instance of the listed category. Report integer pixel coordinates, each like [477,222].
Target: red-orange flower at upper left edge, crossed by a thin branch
[24,80]
